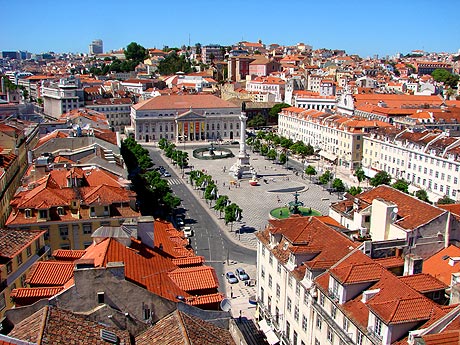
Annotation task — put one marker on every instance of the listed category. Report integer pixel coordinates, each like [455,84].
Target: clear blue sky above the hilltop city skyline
[363,27]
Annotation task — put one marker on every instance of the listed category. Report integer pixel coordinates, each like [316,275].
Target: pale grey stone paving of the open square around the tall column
[257,201]
